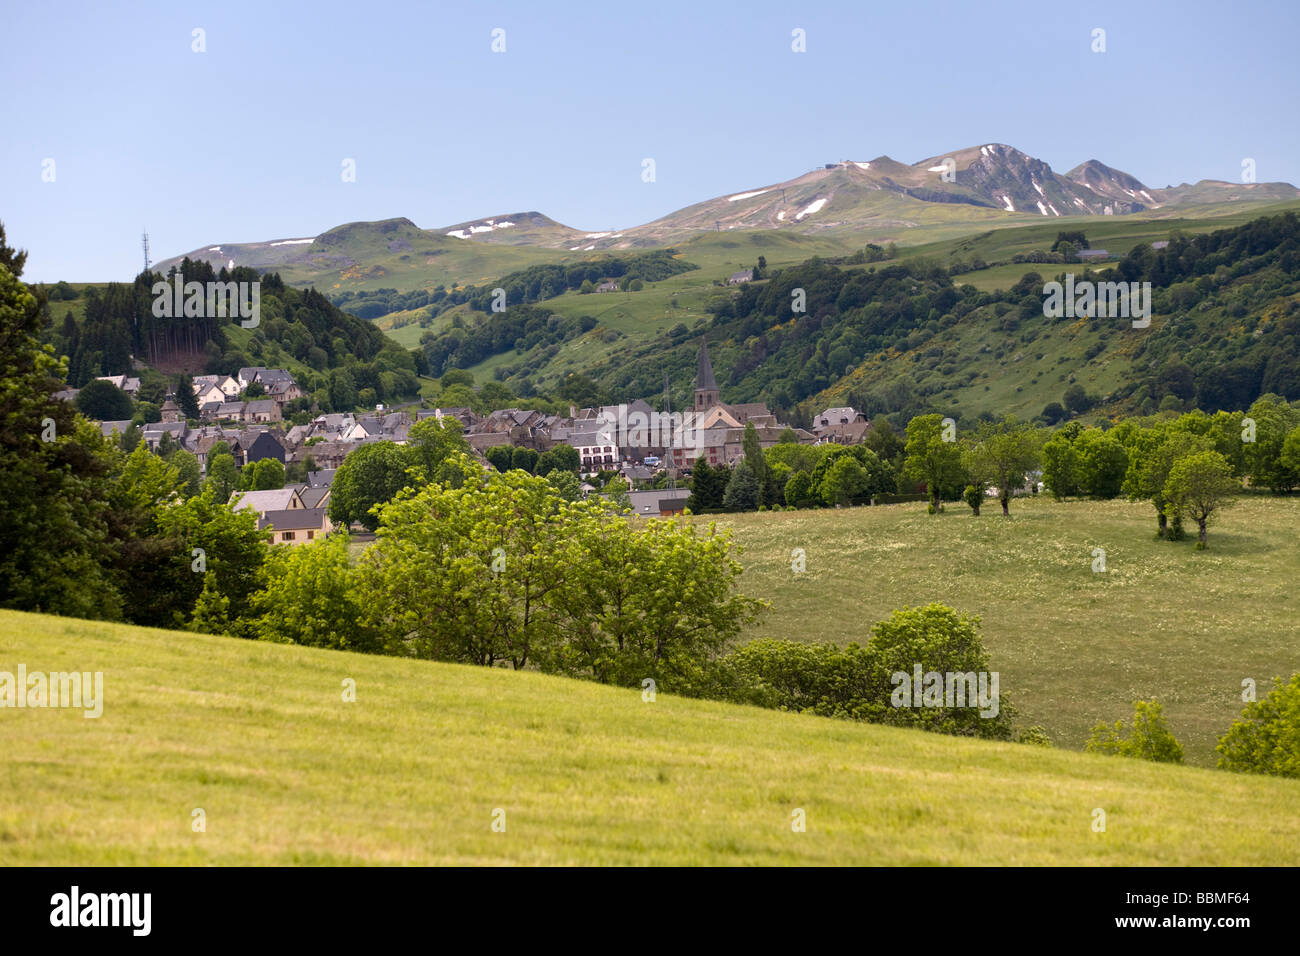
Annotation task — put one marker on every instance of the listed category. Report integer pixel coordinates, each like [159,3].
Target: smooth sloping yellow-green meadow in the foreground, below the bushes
[259,738]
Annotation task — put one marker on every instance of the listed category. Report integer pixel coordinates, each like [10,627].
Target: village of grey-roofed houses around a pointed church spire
[649,449]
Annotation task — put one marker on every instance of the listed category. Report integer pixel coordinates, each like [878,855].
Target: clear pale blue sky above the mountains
[246,142]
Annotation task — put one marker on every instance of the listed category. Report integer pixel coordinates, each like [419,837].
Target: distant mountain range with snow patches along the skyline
[881,198]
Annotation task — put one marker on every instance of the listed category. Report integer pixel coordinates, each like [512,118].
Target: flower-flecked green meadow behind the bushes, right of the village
[1073,647]
